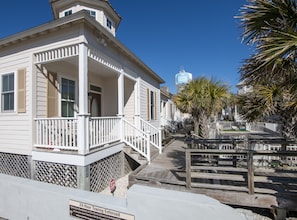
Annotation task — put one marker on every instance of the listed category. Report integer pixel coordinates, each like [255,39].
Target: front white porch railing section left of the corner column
[56,133]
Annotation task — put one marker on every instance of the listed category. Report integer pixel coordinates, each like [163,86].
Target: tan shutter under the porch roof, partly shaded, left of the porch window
[52,95]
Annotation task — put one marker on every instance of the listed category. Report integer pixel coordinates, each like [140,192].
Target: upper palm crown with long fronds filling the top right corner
[269,25]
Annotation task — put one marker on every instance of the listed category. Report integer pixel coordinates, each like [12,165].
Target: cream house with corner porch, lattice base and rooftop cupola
[72,96]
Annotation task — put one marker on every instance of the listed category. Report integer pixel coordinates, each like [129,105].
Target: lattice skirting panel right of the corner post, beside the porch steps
[112,167]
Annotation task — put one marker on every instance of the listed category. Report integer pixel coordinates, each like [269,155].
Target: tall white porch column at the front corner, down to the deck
[83,115]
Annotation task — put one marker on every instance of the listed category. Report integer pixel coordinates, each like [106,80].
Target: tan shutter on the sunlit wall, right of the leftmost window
[21,91]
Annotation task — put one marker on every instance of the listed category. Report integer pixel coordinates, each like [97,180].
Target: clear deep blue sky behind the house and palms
[202,37]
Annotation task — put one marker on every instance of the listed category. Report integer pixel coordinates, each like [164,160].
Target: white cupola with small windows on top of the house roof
[100,10]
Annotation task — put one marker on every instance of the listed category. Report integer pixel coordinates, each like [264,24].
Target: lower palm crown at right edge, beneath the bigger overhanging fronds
[270,101]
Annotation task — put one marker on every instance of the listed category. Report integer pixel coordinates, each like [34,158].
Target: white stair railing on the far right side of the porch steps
[155,134]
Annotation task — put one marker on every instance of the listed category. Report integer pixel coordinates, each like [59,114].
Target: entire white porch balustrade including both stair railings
[61,133]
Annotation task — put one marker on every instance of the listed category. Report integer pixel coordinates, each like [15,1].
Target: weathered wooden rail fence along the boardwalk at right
[247,164]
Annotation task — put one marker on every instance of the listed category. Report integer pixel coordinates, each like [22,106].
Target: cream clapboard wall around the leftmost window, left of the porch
[15,128]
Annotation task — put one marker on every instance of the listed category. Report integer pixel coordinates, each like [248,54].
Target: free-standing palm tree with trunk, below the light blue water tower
[201,98]
